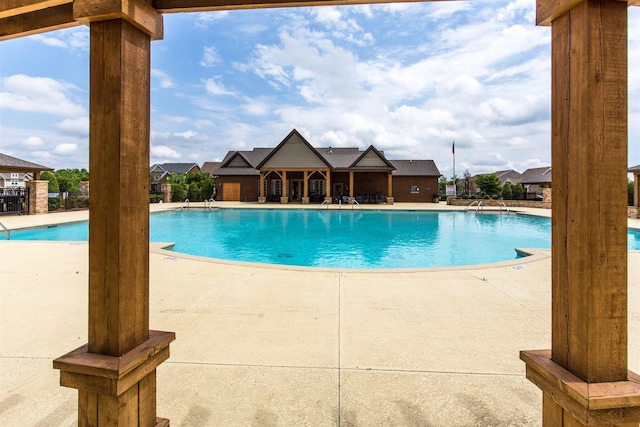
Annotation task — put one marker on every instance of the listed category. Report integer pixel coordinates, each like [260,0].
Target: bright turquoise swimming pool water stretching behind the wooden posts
[340,239]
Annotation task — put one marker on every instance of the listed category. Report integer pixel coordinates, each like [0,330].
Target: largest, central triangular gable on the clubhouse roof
[294,152]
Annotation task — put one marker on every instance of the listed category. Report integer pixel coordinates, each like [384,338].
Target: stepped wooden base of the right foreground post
[592,404]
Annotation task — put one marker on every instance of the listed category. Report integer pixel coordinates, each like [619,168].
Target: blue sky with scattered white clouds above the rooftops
[407,78]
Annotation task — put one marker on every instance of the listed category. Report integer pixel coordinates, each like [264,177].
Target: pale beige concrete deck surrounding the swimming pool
[275,346]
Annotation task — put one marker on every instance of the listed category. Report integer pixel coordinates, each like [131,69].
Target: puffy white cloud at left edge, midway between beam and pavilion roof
[39,95]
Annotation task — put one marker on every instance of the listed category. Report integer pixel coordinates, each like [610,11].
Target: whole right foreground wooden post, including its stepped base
[584,376]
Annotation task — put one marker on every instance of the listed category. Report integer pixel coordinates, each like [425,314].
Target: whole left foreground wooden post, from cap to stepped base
[115,372]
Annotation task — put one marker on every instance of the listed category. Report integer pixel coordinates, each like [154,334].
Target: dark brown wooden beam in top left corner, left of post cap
[37,21]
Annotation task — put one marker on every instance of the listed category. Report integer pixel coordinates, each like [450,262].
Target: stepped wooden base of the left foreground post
[117,391]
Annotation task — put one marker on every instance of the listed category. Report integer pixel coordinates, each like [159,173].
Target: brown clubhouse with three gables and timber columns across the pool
[296,172]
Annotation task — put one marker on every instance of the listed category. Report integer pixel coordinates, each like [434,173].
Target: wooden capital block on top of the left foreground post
[137,12]
